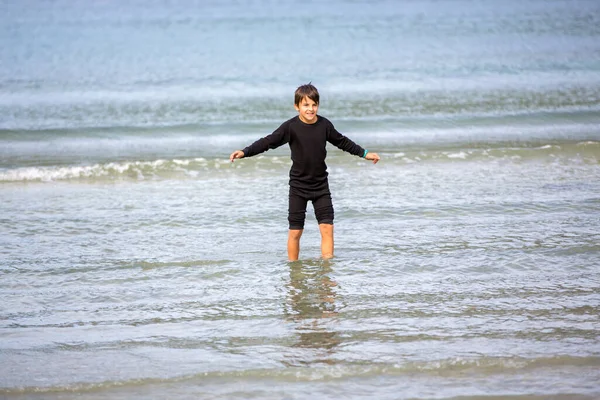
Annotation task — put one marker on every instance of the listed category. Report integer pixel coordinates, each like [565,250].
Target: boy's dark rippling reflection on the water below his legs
[311,307]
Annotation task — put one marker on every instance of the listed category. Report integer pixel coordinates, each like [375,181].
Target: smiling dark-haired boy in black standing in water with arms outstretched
[307,135]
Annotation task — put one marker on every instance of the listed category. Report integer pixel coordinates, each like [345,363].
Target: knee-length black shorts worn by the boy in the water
[321,203]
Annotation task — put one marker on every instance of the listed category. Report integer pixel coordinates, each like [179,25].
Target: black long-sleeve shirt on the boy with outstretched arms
[307,144]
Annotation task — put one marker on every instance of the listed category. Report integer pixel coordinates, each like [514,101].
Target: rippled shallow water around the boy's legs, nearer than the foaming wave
[453,278]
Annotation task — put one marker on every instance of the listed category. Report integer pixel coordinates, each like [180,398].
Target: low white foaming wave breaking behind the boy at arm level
[586,152]
